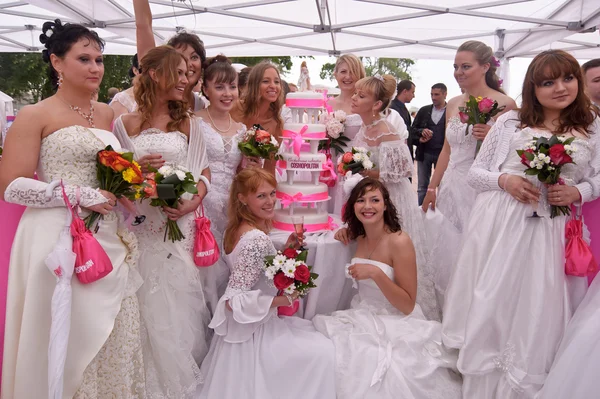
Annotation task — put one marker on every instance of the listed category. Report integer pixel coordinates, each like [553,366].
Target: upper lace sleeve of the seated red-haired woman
[249,264]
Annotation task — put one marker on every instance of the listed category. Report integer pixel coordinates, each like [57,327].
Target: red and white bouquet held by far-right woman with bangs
[544,158]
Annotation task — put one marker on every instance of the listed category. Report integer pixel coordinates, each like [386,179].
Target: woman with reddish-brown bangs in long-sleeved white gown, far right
[509,300]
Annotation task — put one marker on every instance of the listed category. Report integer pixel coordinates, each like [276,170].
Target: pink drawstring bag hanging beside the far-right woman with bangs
[579,259]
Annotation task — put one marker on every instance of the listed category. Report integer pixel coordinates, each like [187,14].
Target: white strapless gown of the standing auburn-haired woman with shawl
[172,300]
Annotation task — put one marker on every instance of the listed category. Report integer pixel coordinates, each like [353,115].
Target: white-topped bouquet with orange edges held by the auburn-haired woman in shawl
[165,187]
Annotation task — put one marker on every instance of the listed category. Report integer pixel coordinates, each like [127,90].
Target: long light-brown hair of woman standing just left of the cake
[251,101]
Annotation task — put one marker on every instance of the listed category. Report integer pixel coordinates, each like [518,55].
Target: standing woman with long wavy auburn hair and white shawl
[172,299]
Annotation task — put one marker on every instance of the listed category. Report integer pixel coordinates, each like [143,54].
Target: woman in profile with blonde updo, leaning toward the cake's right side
[393,166]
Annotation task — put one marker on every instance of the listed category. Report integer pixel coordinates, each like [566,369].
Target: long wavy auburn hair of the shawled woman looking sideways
[164,60]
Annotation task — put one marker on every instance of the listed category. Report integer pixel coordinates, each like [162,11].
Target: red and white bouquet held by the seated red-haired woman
[288,271]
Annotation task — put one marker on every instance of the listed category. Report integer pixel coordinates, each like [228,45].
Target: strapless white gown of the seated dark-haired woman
[382,353]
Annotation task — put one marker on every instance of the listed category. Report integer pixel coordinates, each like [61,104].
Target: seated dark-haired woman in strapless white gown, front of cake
[384,345]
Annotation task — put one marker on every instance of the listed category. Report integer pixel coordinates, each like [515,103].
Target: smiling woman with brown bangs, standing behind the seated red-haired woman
[222,136]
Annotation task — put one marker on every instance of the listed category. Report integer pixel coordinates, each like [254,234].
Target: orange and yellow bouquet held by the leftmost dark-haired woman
[119,174]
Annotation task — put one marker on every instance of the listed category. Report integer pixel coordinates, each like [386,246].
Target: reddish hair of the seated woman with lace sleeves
[246,182]
